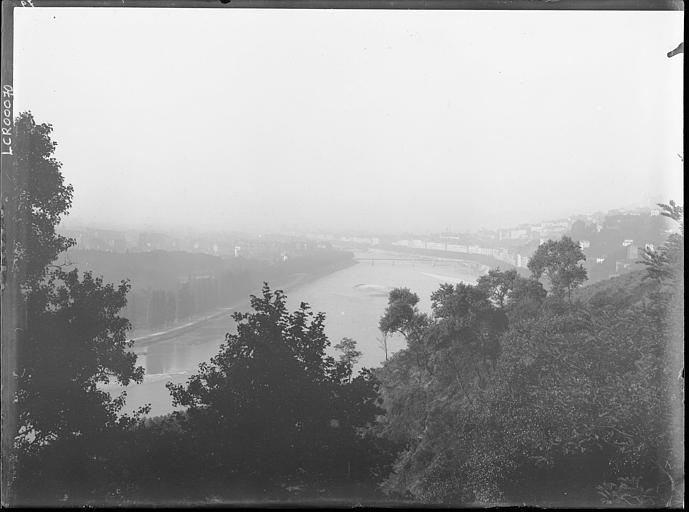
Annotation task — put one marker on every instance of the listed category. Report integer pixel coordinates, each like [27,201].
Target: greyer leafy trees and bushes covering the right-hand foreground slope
[504,395]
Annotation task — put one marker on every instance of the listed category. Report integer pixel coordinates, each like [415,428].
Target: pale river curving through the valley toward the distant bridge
[353,300]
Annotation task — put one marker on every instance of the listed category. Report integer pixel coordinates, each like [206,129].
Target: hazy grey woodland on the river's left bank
[170,287]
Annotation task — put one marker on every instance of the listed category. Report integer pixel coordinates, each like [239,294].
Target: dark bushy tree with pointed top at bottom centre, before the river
[274,408]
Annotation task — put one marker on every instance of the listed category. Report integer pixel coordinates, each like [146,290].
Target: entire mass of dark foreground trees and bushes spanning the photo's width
[505,392]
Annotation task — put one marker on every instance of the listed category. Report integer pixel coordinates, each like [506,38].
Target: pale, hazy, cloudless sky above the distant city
[394,120]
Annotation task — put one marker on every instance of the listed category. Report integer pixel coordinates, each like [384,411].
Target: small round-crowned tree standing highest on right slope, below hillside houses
[560,262]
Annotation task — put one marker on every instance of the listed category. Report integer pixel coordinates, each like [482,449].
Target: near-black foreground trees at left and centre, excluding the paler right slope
[270,416]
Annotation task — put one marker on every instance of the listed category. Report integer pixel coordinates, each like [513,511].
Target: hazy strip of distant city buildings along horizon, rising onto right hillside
[611,242]
